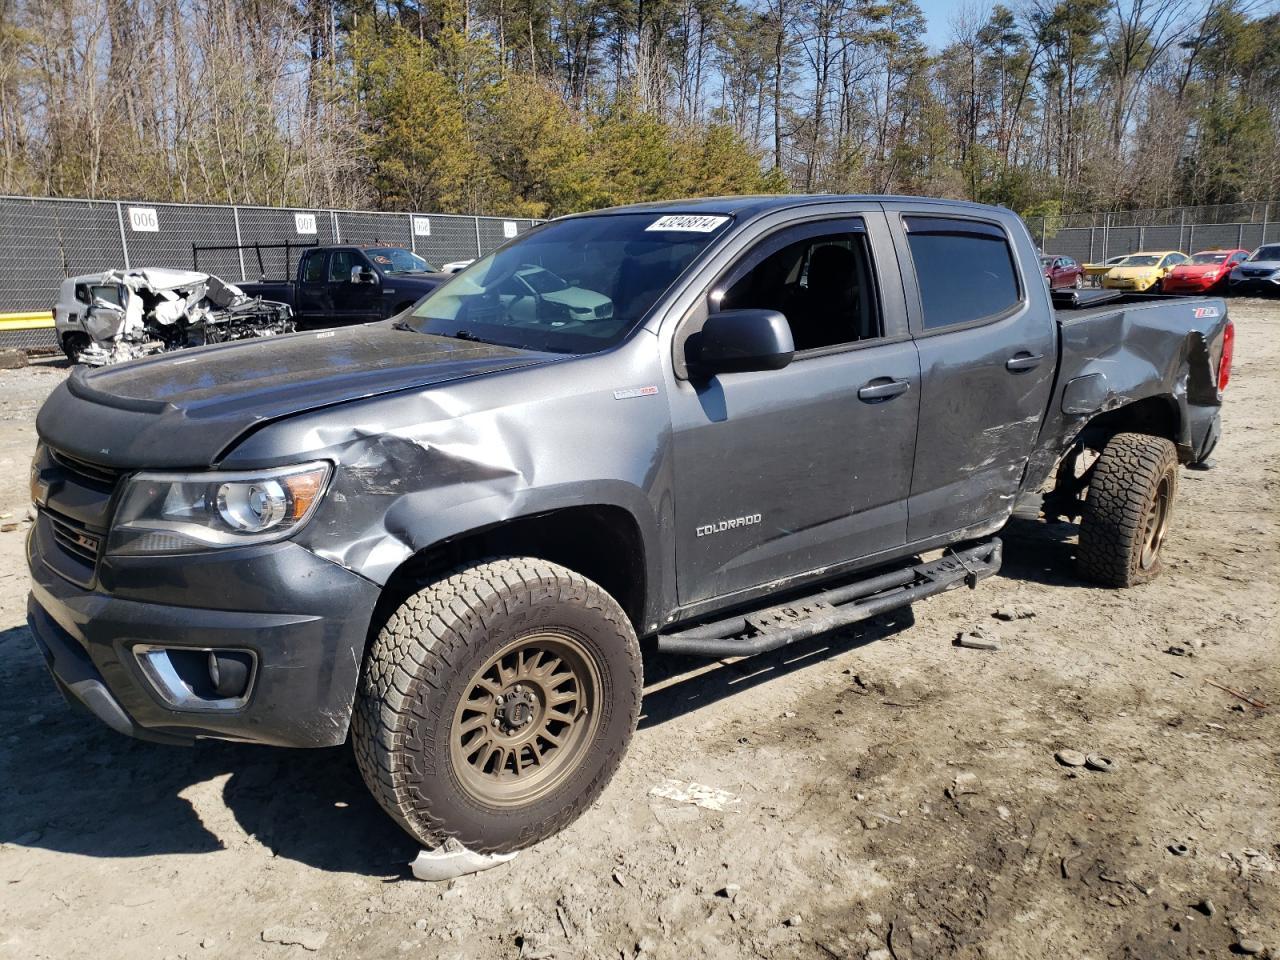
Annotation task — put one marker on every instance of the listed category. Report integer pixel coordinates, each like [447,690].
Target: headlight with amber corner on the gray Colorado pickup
[186,513]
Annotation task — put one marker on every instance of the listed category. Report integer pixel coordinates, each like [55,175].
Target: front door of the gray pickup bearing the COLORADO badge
[783,473]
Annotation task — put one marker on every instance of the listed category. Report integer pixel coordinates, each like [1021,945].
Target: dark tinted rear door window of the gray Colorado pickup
[964,271]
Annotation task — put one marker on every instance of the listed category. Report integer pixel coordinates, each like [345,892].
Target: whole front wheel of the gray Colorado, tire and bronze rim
[497,703]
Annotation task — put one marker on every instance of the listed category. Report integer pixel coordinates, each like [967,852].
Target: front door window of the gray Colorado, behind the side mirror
[817,276]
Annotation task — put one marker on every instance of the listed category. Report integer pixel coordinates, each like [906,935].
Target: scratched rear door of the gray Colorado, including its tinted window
[988,356]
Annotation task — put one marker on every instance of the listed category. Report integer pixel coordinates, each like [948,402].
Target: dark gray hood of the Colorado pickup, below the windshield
[188,409]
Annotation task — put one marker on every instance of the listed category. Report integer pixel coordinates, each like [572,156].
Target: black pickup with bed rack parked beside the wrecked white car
[351,285]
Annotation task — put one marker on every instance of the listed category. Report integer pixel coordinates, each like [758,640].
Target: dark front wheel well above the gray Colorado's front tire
[602,543]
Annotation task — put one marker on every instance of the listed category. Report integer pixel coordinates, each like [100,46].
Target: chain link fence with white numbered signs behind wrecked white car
[44,240]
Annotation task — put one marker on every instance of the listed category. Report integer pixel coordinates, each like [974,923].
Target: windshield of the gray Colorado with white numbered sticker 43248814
[573,287]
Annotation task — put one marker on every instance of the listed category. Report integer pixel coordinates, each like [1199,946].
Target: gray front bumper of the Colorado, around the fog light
[304,619]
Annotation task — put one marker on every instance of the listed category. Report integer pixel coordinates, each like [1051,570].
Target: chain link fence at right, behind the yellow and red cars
[1092,239]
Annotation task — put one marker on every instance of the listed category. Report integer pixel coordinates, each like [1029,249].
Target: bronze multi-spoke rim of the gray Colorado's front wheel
[525,720]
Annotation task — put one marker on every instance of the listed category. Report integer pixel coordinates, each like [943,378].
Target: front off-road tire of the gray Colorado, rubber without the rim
[428,657]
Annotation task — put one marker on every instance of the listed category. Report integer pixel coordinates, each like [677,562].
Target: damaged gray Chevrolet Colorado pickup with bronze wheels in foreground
[717,426]
